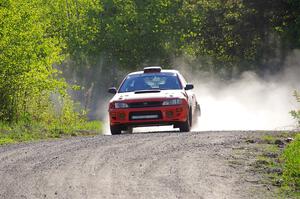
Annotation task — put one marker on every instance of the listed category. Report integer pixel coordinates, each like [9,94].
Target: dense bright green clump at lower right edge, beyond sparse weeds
[291,172]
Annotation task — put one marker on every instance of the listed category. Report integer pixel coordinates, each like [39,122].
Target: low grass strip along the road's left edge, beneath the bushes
[24,132]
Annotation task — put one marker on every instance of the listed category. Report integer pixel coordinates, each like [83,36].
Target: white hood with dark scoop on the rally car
[149,95]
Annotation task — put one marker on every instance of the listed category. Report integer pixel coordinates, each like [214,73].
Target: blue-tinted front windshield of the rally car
[153,81]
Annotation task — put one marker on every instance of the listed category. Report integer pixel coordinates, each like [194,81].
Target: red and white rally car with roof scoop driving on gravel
[153,97]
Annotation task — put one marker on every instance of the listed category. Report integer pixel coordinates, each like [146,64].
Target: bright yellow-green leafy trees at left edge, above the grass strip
[27,77]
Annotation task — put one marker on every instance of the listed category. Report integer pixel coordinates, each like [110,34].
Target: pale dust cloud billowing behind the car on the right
[250,102]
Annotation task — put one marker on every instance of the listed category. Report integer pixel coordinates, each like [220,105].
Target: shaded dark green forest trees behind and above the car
[233,34]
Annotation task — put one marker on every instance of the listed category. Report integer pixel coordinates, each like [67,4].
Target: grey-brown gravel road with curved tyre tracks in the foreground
[140,165]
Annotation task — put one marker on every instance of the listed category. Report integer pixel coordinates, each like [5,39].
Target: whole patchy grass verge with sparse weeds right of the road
[283,169]
